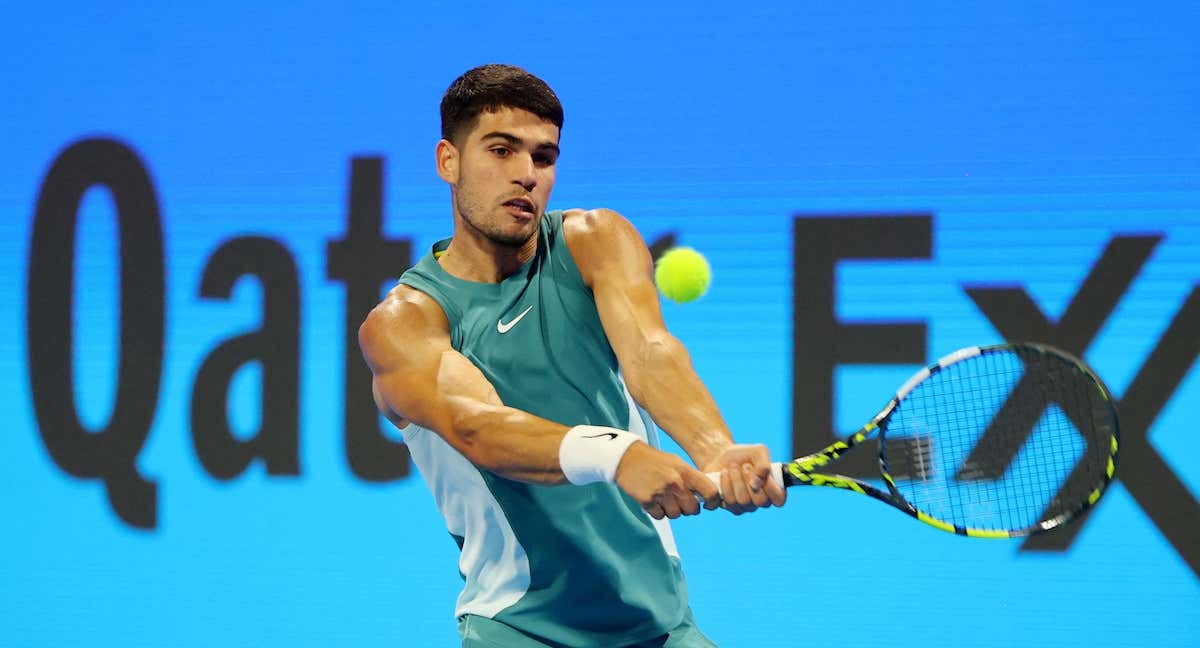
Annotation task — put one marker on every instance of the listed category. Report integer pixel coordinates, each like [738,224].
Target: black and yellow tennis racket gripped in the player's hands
[988,442]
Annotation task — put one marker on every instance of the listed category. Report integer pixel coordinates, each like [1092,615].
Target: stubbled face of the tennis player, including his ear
[505,175]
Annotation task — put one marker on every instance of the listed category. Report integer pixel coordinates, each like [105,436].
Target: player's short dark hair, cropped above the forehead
[490,88]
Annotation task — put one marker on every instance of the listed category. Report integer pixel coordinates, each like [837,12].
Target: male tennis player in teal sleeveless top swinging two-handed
[517,359]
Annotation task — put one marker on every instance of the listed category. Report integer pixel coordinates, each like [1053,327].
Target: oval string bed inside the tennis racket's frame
[1006,440]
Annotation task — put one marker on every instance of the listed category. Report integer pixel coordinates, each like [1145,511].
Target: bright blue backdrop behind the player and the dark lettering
[1029,139]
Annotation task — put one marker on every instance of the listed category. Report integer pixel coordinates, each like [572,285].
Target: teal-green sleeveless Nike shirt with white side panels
[574,566]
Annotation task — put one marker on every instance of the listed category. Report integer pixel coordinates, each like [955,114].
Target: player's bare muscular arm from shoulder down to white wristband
[421,377]
